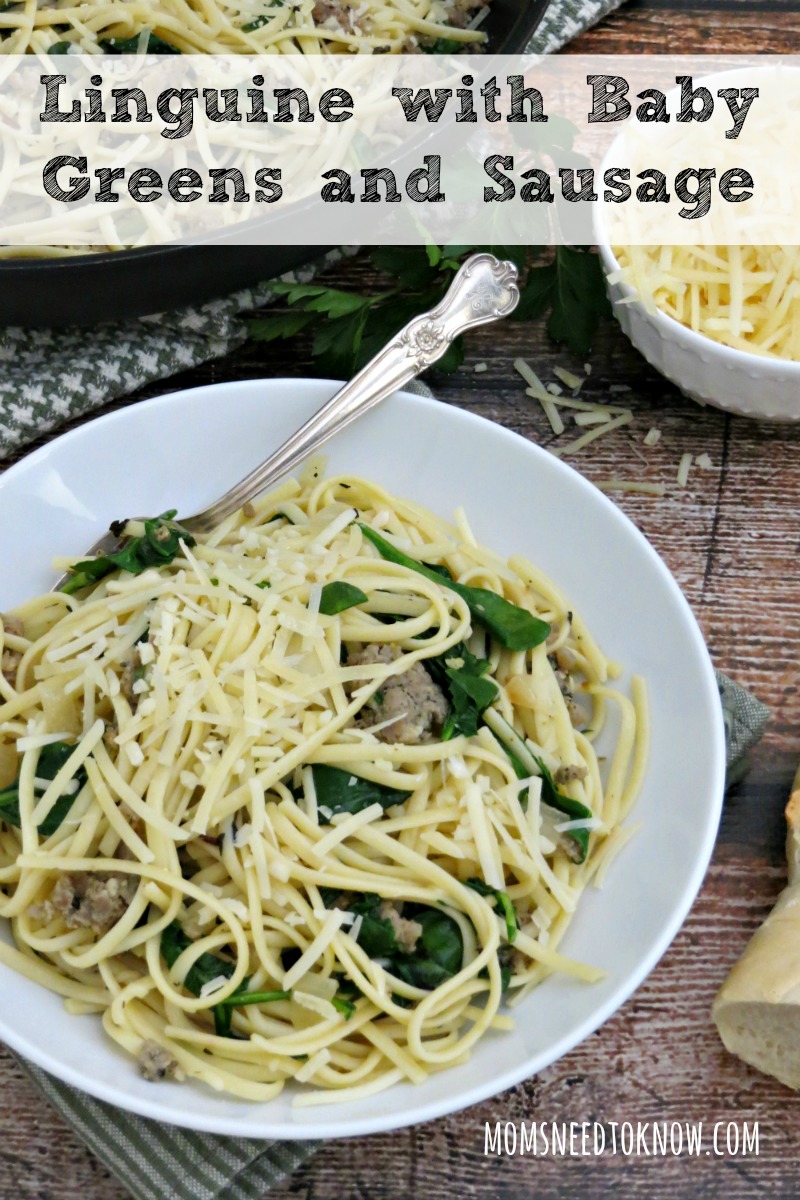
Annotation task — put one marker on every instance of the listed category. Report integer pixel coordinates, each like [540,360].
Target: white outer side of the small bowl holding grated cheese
[705,370]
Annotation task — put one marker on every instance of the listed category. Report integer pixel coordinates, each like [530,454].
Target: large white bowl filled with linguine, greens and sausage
[243,811]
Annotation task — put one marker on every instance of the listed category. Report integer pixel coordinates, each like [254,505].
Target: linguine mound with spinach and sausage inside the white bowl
[290,808]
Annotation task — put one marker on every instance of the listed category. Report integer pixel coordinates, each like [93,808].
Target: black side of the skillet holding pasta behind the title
[87,290]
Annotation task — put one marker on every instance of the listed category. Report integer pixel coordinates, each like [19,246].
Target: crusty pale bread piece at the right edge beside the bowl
[757,1011]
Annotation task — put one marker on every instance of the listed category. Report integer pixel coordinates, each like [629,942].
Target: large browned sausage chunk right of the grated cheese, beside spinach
[412,701]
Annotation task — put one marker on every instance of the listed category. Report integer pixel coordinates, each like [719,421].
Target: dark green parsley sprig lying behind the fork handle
[350,328]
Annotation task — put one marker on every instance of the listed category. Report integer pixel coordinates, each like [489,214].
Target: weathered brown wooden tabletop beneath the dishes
[731,538]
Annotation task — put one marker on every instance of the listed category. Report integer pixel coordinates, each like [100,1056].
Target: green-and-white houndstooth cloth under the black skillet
[49,377]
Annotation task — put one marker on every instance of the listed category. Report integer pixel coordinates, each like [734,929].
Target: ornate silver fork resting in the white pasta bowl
[485,290]
